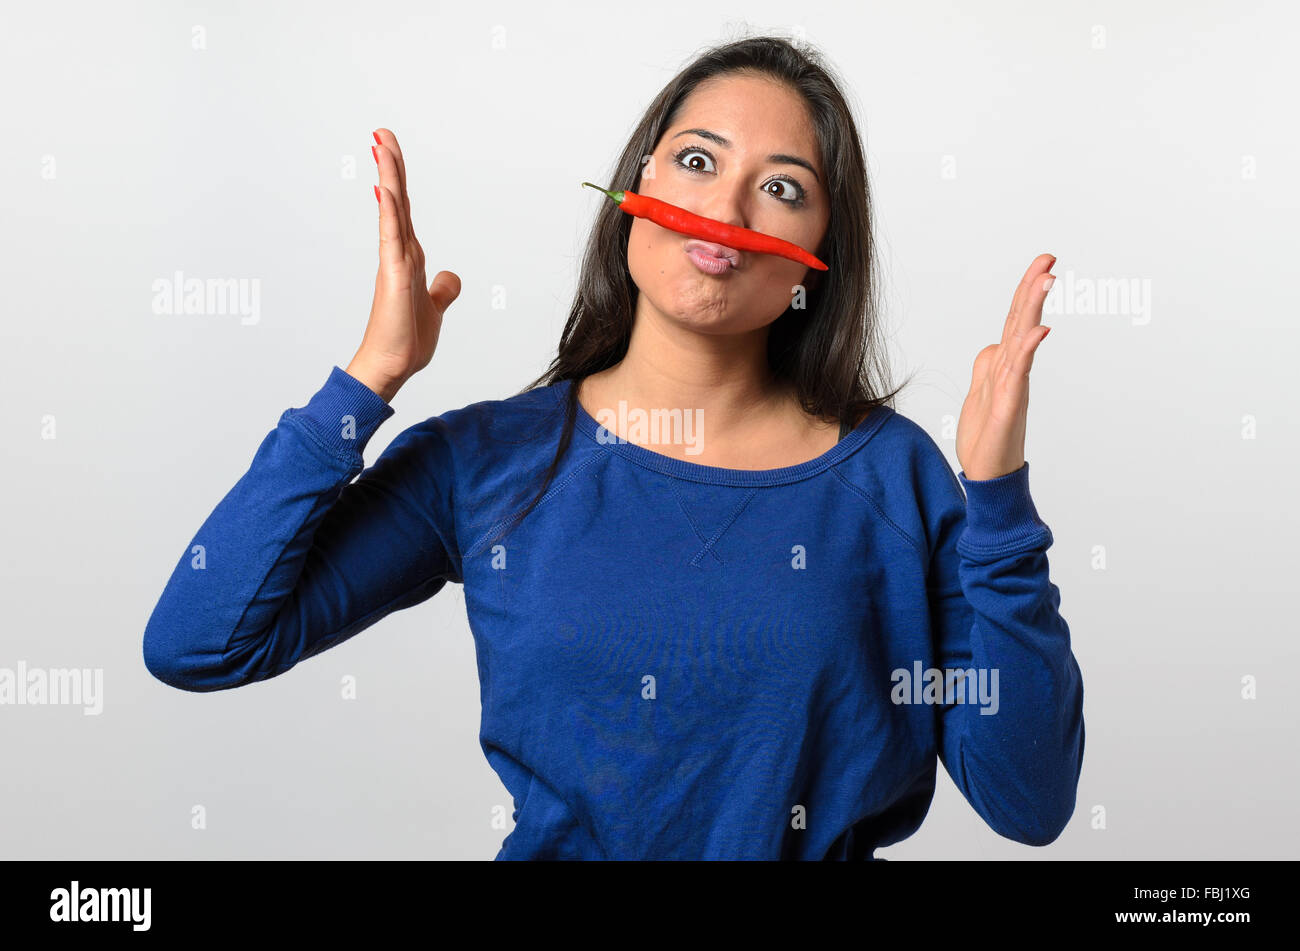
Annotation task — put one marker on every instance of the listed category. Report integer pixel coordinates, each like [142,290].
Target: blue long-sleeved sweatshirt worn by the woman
[677,661]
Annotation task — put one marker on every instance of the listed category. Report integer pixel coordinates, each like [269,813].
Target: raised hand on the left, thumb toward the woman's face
[405,318]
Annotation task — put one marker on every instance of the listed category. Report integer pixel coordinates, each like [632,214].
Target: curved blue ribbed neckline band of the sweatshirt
[713,475]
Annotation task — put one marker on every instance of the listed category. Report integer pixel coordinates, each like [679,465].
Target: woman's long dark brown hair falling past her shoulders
[829,349]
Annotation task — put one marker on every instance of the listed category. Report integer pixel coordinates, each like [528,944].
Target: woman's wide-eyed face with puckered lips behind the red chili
[731,155]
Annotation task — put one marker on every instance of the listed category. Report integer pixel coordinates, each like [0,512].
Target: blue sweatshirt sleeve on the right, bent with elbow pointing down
[1019,759]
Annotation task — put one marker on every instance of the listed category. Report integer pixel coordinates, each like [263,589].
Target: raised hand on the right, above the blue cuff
[991,431]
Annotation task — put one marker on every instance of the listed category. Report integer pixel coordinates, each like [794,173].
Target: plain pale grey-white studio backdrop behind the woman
[1126,153]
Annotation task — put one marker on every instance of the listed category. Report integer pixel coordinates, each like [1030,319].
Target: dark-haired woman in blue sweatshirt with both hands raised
[755,642]
